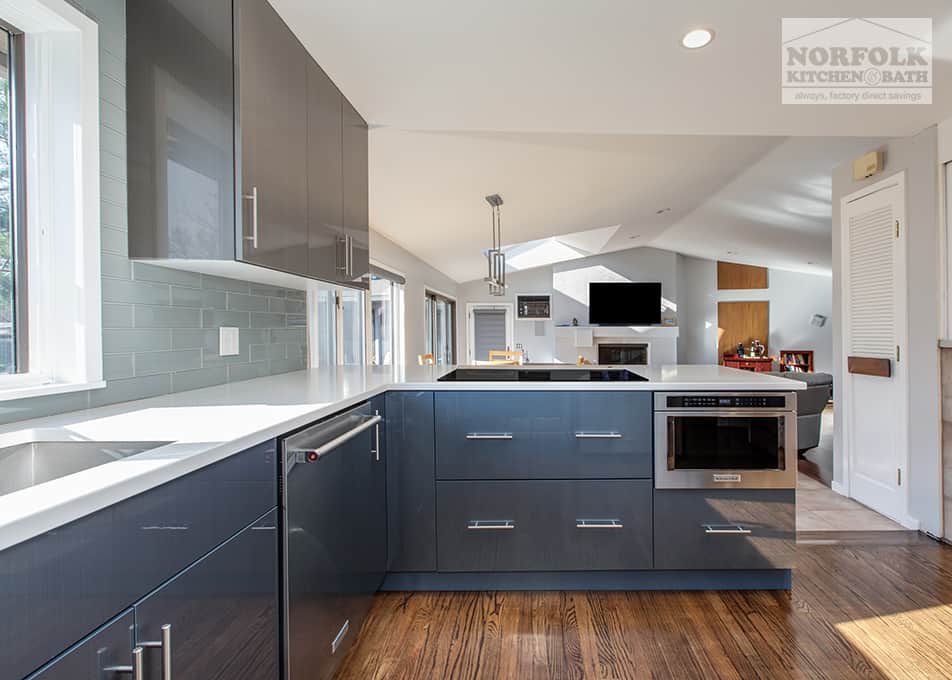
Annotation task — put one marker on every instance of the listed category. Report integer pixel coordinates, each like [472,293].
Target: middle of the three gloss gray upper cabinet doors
[325,182]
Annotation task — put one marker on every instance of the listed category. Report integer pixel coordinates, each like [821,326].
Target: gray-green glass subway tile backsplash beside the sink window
[159,325]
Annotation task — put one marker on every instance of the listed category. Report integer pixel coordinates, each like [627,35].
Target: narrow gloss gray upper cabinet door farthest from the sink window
[356,193]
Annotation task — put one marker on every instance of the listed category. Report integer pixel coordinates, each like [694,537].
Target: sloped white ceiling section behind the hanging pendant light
[427,189]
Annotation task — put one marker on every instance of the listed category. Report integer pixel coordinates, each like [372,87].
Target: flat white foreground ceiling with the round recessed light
[613,66]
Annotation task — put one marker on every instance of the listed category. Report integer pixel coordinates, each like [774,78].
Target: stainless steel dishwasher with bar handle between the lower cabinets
[333,497]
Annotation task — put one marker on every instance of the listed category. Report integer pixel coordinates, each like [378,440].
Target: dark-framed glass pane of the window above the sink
[13,326]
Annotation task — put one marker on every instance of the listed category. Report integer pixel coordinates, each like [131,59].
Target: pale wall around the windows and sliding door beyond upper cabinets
[420,277]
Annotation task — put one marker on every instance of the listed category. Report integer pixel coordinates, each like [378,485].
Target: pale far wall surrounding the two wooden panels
[794,299]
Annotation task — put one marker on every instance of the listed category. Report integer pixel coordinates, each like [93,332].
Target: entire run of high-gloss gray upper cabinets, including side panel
[237,145]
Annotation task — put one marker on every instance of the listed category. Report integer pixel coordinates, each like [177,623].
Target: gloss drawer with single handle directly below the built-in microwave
[738,529]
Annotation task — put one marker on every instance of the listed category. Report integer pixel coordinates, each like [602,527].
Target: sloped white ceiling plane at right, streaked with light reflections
[776,213]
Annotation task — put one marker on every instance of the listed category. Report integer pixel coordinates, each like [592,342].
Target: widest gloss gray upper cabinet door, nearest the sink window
[272,119]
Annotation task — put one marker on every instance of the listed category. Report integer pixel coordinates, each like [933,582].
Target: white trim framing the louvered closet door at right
[847,456]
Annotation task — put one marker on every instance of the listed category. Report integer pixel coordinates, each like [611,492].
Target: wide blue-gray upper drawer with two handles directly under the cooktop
[543,435]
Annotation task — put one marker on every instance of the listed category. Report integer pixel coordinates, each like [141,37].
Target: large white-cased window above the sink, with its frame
[50,301]
